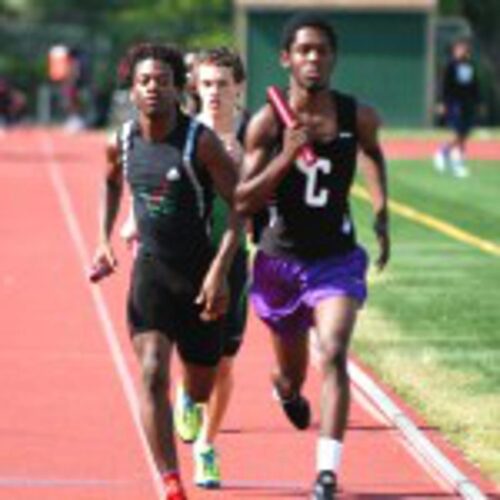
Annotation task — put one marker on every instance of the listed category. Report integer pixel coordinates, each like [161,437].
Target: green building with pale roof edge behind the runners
[387,51]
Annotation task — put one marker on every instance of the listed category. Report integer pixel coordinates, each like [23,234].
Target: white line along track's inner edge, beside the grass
[460,483]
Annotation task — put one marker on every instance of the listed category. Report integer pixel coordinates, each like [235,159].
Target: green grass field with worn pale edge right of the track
[431,328]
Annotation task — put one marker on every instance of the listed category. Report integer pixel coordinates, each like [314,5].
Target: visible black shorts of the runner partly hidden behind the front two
[233,324]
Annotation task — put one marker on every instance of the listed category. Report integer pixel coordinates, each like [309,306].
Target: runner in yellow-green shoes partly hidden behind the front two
[217,78]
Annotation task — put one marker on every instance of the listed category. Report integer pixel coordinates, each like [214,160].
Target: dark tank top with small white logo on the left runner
[172,193]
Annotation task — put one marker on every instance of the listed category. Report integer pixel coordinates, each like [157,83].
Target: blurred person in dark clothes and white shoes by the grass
[459,98]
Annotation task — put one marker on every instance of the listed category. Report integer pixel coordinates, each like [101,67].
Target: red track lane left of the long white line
[65,430]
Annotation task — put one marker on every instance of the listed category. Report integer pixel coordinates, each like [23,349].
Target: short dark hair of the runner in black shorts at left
[168,54]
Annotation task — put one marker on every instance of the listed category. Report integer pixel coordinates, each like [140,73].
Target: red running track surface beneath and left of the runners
[66,426]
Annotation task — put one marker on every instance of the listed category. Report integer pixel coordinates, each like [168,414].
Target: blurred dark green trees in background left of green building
[104,28]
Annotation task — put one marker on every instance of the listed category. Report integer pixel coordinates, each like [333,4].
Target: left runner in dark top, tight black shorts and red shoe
[178,291]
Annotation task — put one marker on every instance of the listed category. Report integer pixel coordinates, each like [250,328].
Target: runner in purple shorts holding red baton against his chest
[309,271]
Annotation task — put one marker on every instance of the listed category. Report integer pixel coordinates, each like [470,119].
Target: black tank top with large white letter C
[310,216]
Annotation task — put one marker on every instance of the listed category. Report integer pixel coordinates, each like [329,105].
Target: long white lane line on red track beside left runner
[108,329]
